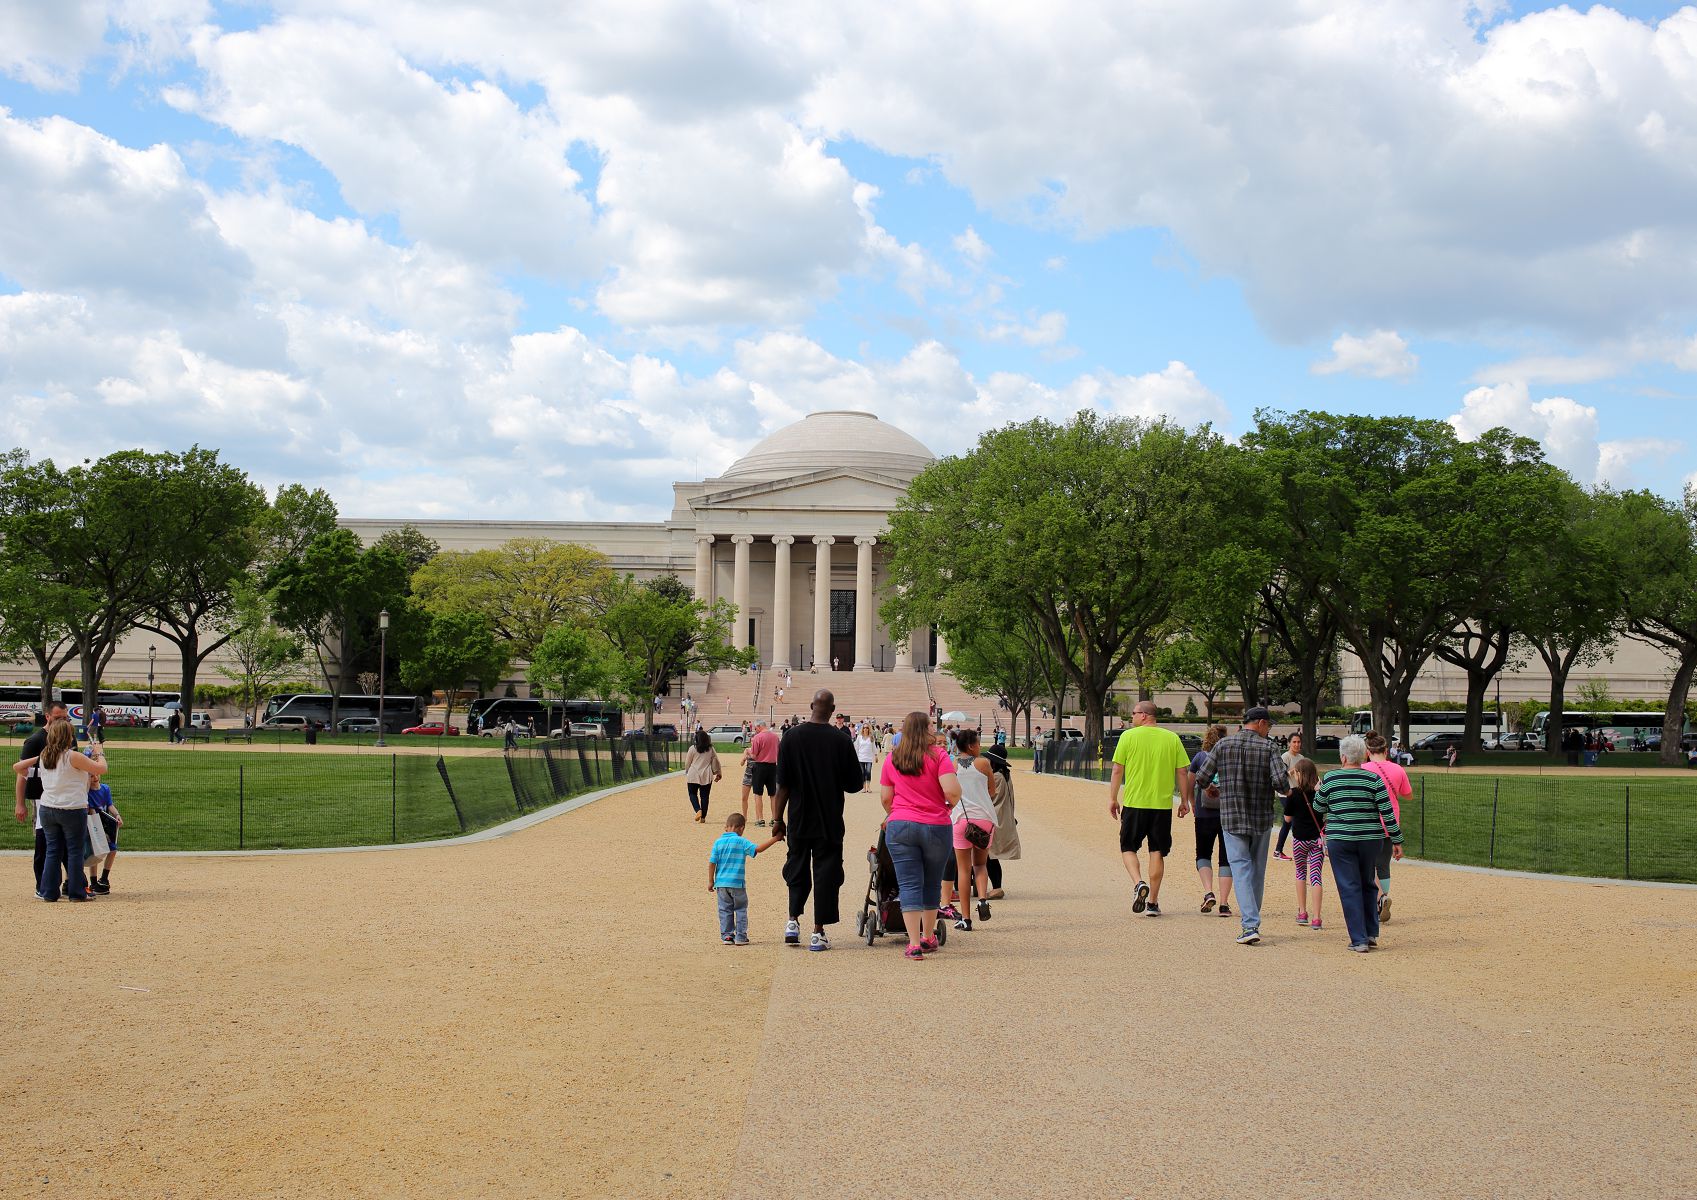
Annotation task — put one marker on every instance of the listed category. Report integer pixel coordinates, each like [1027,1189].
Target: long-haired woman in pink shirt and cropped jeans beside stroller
[919,787]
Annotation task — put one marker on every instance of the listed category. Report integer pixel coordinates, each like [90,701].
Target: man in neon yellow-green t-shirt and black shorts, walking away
[1150,765]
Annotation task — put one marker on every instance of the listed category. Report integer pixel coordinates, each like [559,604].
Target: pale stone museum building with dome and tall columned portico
[790,534]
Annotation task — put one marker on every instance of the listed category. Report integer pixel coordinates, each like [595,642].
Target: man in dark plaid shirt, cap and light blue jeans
[1250,775]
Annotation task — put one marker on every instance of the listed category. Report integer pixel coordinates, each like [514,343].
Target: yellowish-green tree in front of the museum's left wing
[525,586]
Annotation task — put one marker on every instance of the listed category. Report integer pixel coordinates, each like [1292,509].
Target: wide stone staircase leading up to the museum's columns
[731,697]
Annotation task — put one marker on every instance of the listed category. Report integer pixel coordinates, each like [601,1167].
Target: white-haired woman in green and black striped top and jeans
[1358,817]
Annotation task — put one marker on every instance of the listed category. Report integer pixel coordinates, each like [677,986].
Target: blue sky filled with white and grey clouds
[539,261]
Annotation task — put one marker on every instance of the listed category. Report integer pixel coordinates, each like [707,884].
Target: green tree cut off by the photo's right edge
[1659,592]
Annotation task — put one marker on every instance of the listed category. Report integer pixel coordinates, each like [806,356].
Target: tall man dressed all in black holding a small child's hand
[815,768]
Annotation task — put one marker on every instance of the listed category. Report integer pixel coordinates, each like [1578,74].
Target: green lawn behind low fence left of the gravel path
[269,800]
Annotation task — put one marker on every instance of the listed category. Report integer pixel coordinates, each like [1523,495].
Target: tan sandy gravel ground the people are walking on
[552,1016]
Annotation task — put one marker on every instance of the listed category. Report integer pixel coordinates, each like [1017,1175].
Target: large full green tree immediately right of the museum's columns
[1092,530]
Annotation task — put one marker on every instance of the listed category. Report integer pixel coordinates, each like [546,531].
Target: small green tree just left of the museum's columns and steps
[658,632]
